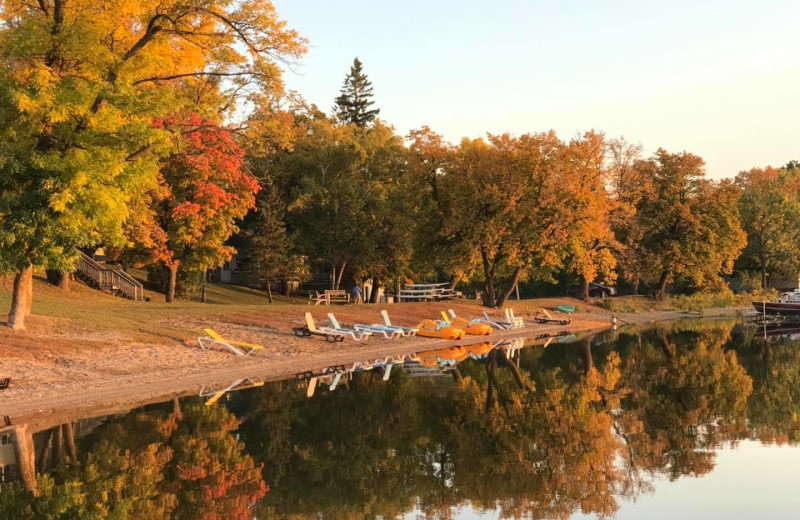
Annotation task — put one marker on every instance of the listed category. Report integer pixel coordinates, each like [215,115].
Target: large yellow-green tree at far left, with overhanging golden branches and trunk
[81,83]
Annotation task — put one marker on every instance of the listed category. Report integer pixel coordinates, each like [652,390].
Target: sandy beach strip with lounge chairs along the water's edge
[107,371]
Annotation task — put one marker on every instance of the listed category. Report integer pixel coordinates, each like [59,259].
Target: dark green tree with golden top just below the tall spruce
[343,190]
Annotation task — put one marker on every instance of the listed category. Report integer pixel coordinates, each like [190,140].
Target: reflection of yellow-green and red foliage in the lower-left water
[149,464]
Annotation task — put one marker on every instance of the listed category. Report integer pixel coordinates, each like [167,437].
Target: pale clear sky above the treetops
[720,79]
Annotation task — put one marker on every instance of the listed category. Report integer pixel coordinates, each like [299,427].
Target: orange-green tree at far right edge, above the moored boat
[770,210]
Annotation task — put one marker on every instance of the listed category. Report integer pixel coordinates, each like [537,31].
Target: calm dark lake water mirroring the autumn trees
[682,420]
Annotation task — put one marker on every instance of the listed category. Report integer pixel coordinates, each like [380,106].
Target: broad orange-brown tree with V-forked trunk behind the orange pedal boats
[505,203]
